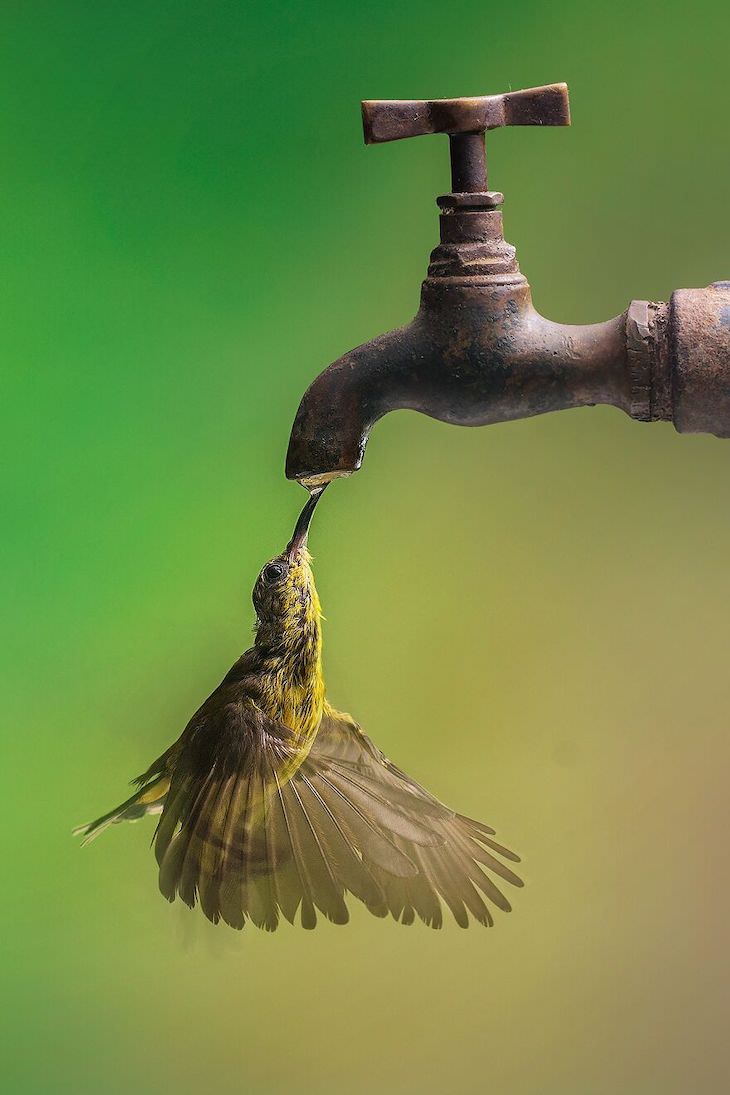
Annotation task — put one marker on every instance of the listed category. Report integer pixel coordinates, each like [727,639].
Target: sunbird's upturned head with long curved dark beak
[285,595]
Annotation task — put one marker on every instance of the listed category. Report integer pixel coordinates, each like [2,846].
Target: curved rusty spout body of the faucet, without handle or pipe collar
[473,355]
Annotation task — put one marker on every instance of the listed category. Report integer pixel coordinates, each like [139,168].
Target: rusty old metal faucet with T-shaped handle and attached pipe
[478,352]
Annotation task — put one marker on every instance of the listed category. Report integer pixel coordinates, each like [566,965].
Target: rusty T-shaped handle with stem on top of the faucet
[466,121]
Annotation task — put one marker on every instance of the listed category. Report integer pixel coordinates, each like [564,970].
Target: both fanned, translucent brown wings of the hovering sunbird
[253,831]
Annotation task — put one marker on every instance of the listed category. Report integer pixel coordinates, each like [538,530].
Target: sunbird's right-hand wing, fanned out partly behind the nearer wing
[457,868]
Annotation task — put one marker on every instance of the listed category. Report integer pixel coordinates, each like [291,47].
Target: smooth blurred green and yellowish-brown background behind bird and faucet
[532,619]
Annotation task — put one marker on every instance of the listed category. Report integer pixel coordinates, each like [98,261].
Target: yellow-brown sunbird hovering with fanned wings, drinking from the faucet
[272,802]
